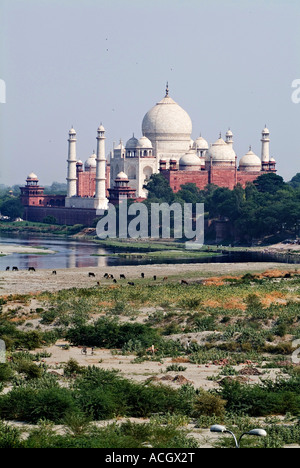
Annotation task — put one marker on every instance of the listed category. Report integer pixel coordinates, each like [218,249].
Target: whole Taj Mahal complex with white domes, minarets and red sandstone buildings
[166,146]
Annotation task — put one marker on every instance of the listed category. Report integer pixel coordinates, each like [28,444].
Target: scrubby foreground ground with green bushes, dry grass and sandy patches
[215,351]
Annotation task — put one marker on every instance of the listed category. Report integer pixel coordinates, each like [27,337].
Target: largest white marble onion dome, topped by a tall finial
[167,118]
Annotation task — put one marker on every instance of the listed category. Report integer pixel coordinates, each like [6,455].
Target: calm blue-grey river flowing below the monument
[71,253]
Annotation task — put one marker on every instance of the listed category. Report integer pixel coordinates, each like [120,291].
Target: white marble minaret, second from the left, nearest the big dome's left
[101,201]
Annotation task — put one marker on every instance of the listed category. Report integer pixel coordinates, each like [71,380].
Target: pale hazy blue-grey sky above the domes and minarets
[229,63]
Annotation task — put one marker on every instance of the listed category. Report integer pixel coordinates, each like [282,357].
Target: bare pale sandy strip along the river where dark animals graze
[25,282]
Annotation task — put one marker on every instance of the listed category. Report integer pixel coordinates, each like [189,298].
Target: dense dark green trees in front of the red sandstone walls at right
[269,206]
